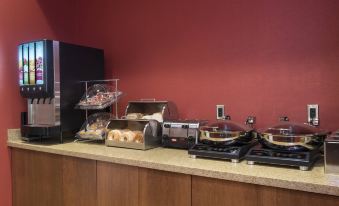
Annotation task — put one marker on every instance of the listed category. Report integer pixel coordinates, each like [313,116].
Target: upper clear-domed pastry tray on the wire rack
[99,96]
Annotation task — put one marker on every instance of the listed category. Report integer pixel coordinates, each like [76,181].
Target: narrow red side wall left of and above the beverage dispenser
[22,20]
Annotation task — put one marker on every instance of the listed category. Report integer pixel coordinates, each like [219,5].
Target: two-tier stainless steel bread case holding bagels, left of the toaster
[140,128]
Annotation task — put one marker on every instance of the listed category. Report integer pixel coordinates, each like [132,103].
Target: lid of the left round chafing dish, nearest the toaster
[226,126]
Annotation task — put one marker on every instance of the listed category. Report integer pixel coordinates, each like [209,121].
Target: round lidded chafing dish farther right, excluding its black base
[292,136]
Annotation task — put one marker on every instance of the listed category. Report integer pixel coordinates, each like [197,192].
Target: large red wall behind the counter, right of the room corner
[264,58]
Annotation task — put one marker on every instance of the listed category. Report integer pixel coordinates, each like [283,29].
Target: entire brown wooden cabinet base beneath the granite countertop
[48,179]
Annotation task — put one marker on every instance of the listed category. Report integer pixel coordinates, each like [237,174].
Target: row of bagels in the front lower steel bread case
[125,135]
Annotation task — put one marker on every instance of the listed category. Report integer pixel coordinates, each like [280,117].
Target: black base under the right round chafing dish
[302,159]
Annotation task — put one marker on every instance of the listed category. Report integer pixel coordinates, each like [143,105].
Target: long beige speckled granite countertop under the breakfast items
[174,160]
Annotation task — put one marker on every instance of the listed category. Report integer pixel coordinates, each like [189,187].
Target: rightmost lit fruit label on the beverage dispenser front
[39,62]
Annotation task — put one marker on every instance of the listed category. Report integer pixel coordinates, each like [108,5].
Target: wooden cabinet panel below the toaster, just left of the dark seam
[164,188]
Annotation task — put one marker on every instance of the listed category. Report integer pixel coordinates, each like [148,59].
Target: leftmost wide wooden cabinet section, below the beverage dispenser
[41,179]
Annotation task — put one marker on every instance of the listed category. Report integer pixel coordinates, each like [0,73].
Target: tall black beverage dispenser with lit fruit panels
[49,77]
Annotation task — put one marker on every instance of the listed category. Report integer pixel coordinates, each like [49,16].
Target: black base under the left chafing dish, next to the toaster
[233,153]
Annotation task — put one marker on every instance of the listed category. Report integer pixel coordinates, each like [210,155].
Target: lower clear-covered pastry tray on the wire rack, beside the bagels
[95,127]
